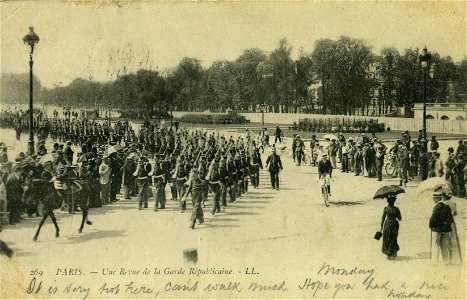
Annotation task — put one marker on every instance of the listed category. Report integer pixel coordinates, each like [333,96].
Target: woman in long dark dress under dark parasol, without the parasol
[390,227]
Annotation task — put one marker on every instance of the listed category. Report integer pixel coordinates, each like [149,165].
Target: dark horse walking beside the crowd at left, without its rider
[77,193]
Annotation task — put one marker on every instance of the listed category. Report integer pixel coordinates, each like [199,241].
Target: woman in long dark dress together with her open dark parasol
[390,220]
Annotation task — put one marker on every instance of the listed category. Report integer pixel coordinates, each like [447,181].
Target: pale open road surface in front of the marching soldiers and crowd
[286,235]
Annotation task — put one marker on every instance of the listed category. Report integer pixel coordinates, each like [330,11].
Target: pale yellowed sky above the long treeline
[99,42]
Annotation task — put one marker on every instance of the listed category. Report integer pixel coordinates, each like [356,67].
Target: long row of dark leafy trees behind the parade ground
[334,78]
